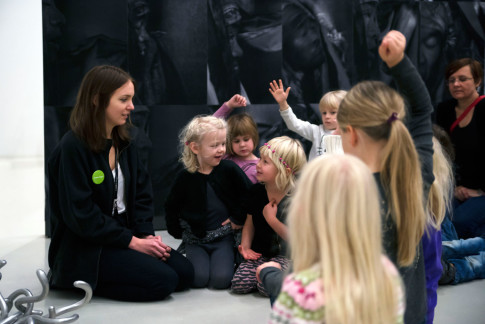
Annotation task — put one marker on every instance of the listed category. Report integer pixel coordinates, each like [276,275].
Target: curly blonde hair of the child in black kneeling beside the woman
[193,132]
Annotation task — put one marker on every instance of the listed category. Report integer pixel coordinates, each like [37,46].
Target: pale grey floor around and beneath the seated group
[24,247]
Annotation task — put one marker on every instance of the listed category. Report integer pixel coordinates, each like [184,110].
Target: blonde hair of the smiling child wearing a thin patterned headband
[288,156]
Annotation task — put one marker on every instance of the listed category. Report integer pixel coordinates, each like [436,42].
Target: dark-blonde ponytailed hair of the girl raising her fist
[378,110]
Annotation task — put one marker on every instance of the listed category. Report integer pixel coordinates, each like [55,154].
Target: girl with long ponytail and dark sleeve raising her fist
[398,149]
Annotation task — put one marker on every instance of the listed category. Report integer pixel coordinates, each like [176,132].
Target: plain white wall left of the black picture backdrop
[21,79]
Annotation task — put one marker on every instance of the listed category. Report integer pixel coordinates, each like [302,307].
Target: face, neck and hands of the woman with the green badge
[117,112]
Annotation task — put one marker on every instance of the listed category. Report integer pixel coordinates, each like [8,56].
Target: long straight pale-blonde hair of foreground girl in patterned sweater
[334,222]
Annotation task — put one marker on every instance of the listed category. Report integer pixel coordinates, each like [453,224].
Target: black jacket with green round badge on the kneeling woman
[80,209]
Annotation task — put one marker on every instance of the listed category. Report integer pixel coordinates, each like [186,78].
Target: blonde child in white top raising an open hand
[315,133]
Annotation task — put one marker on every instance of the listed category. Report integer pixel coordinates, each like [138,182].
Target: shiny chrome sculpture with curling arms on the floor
[23,300]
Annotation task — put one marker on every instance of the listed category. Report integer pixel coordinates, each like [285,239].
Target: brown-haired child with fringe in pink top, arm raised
[242,136]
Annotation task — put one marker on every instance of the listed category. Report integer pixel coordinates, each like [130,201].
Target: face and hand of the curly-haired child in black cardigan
[209,152]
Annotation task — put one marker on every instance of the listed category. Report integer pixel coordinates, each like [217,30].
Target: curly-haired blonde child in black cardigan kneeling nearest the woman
[205,202]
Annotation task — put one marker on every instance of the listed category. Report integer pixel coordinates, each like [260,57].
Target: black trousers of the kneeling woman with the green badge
[129,275]
